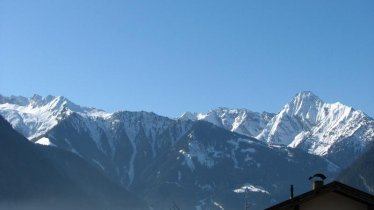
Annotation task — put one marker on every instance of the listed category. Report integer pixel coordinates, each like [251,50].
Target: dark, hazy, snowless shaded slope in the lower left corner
[37,177]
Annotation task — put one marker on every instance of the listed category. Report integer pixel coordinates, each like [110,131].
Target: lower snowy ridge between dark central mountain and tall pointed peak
[242,121]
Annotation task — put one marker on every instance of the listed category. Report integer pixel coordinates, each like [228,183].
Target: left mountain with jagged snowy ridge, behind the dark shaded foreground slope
[114,141]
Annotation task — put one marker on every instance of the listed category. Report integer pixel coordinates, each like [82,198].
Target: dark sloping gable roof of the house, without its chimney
[336,187]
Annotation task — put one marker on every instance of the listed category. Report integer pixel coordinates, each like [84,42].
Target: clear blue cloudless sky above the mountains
[171,56]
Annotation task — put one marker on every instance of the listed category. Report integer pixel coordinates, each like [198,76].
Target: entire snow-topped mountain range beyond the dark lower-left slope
[201,160]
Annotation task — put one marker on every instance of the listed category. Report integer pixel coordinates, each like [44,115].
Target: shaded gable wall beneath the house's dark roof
[332,201]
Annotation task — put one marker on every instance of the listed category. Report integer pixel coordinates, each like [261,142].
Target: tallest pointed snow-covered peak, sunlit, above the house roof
[309,123]
